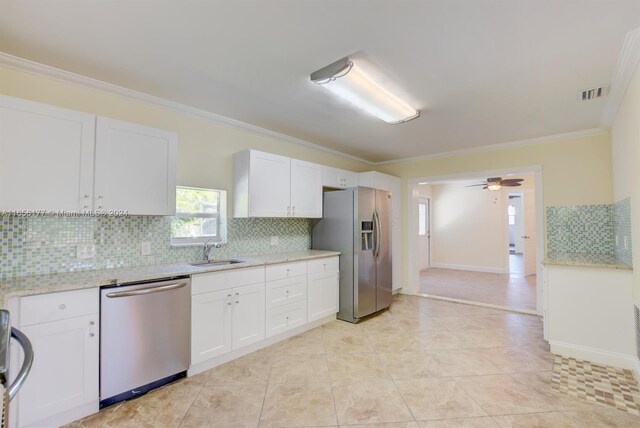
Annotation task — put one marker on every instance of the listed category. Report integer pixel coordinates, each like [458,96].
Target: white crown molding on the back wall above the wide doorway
[502,146]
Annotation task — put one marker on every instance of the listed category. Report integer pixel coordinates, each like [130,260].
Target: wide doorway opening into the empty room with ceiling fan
[514,283]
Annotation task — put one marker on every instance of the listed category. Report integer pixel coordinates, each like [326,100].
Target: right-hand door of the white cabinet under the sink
[248,315]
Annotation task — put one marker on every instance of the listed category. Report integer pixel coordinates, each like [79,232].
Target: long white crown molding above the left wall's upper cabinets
[32,67]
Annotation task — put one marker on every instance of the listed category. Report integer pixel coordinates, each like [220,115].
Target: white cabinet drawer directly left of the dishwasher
[58,306]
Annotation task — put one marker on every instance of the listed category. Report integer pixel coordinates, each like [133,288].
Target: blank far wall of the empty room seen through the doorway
[469,227]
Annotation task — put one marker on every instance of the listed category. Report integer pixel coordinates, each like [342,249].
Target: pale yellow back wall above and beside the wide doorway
[574,171]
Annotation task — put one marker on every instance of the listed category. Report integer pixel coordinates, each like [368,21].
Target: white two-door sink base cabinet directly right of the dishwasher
[224,317]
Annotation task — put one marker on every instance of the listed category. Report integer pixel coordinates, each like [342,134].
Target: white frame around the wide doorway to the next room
[413,283]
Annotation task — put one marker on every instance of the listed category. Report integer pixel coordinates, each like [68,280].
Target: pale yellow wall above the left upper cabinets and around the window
[205,147]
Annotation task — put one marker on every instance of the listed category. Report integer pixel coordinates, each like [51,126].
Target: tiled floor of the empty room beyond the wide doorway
[511,290]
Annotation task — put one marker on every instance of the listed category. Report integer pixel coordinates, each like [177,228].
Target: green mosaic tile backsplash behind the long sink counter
[42,245]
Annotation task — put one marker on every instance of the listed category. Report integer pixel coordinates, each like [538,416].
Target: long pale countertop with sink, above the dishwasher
[40,284]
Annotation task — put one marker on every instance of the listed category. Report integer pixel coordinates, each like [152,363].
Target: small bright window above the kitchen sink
[199,216]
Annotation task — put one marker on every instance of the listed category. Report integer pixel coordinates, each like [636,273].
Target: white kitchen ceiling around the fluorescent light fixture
[482,72]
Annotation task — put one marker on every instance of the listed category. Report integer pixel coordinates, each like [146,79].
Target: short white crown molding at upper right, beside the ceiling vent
[625,68]
